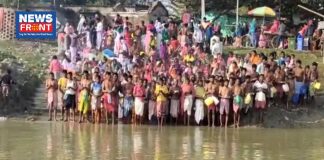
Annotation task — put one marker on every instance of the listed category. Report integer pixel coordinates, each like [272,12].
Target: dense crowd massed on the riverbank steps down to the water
[167,73]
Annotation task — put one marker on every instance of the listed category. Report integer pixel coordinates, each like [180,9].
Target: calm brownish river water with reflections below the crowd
[56,140]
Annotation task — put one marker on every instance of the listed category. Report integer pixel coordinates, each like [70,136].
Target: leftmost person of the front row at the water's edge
[51,86]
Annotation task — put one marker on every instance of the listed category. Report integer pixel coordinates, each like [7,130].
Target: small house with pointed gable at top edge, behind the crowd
[156,10]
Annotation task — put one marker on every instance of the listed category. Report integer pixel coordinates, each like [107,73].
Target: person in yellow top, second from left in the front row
[62,83]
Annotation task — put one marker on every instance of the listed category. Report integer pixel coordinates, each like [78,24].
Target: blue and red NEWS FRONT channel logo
[36,25]
